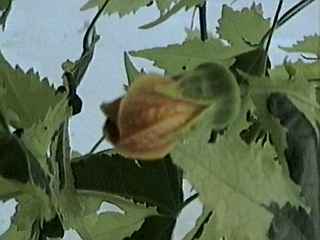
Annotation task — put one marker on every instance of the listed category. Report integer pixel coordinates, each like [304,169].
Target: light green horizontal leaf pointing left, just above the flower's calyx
[176,58]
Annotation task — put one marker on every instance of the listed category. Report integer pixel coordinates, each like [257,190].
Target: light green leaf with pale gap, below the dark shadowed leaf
[108,225]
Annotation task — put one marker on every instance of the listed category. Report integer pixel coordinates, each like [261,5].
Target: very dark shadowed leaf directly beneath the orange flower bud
[115,174]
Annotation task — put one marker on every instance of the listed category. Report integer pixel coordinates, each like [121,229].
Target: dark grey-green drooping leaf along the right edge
[301,156]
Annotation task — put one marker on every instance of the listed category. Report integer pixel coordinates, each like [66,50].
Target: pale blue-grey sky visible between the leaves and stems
[43,34]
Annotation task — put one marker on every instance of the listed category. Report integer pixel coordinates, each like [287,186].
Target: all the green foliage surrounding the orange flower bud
[247,177]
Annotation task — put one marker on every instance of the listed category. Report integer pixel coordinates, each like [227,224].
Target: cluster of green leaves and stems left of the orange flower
[36,166]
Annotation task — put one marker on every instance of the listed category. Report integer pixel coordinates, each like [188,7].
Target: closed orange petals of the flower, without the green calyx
[146,123]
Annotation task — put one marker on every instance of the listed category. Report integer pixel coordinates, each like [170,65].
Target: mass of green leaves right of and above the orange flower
[244,172]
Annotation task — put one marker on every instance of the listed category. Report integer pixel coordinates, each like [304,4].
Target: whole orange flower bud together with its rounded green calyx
[146,123]
